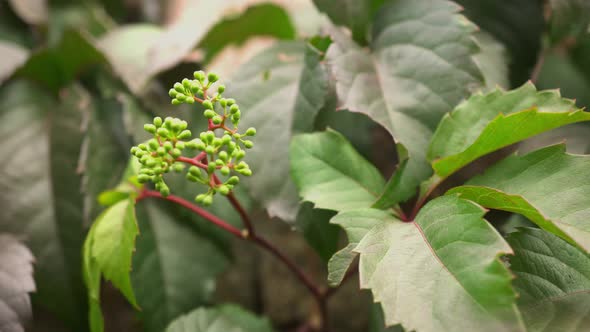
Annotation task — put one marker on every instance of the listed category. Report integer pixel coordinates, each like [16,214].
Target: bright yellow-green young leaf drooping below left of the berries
[108,252]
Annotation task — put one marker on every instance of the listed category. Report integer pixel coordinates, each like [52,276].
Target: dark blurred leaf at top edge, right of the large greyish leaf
[504,21]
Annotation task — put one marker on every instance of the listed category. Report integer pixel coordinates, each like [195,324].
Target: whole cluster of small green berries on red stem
[222,148]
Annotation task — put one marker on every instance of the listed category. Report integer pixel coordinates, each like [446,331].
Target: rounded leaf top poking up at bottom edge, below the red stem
[220,319]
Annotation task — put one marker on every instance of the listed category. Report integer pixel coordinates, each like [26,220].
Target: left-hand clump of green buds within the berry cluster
[159,155]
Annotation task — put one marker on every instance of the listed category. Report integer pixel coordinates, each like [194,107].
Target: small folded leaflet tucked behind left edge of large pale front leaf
[357,224]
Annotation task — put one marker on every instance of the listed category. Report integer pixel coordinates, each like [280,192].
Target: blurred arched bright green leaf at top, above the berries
[264,19]
